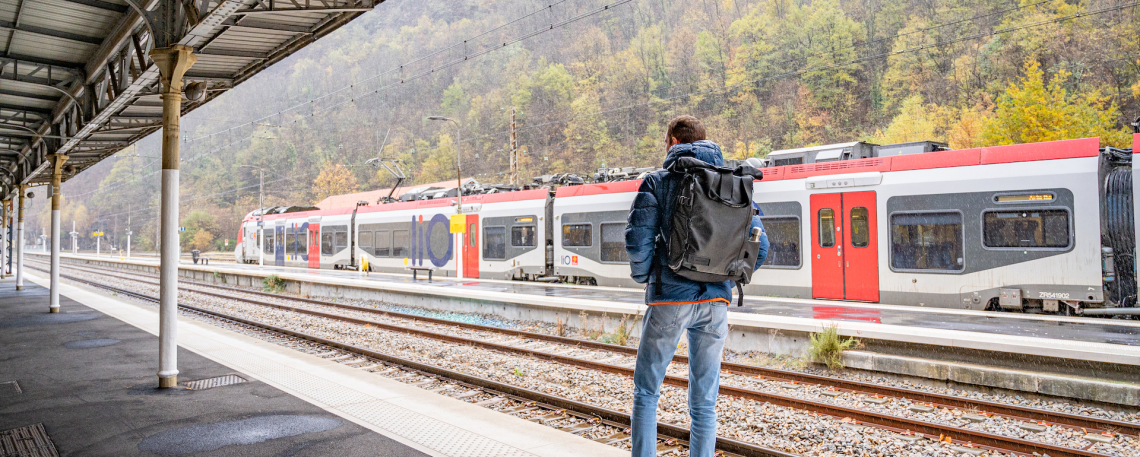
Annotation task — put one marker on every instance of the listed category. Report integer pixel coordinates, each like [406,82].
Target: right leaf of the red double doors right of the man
[861,256]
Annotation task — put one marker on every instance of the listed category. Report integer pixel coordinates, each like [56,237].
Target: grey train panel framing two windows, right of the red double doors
[972,206]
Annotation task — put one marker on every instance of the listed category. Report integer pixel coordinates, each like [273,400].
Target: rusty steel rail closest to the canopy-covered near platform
[618,418]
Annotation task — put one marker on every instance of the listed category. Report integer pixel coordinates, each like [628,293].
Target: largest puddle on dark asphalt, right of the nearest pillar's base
[203,438]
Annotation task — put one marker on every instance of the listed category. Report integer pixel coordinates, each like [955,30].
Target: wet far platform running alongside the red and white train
[1078,357]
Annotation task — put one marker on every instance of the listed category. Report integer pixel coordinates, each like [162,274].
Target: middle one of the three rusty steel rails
[965,437]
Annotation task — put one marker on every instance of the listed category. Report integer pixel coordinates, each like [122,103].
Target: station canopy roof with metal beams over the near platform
[76,77]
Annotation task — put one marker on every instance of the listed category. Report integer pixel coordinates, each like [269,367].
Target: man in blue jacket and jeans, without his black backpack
[677,304]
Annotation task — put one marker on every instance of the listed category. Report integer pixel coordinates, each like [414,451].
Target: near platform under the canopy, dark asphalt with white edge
[83,382]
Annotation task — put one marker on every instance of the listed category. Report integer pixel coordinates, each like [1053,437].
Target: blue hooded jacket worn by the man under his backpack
[650,217]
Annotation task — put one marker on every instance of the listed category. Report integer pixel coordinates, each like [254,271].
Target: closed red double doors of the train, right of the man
[845,260]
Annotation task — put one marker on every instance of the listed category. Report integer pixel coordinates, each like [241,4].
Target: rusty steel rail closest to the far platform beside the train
[1012,412]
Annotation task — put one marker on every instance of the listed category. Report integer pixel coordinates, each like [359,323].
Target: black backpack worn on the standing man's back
[711,241]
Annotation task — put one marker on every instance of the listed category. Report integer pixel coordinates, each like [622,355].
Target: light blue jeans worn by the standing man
[707,325]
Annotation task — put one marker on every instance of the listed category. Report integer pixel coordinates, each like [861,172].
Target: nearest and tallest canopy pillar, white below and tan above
[173,64]
